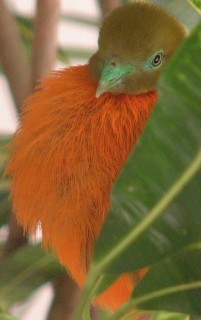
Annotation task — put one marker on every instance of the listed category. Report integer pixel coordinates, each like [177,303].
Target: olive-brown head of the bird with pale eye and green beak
[136,41]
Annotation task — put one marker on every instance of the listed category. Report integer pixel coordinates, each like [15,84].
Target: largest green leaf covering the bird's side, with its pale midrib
[156,207]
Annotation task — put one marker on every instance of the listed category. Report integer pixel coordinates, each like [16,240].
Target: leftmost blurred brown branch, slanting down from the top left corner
[12,57]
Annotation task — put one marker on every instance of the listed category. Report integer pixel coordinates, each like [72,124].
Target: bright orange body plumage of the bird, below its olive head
[67,154]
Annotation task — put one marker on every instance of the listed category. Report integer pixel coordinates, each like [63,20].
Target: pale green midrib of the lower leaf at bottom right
[153,295]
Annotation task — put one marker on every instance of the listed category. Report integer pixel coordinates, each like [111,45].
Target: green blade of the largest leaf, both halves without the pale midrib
[171,141]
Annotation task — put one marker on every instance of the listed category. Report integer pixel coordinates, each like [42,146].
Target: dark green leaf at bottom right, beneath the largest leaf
[180,269]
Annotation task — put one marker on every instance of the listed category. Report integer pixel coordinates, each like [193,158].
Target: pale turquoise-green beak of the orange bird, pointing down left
[113,74]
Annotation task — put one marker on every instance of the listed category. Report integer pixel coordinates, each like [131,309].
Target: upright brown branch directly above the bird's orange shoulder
[45,31]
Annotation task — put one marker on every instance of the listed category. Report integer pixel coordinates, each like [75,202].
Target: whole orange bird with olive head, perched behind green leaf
[77,131]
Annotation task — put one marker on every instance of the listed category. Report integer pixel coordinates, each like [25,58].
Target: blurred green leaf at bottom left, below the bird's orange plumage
[23,271]
